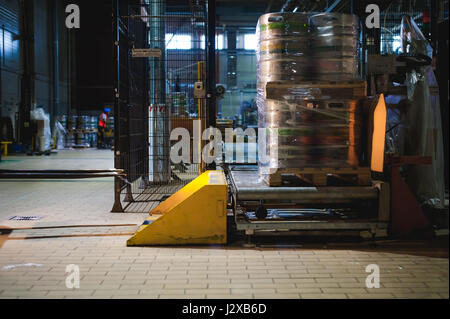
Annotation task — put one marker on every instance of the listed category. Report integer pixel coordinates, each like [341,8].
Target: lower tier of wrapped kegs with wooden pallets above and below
[318,127]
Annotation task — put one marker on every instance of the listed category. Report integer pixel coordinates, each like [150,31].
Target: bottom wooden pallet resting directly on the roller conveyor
[318,176]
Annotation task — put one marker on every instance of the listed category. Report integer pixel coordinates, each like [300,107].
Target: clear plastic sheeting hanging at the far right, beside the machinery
[422,132]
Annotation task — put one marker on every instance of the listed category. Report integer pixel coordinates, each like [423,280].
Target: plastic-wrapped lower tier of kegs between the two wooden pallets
[312,134]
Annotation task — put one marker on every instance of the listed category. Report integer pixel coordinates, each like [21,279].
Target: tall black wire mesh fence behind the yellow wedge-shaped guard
[155,94]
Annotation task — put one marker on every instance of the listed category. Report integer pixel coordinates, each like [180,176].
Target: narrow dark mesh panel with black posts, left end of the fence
[130,100]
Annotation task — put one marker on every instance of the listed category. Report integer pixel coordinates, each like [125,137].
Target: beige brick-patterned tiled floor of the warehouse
[36,268]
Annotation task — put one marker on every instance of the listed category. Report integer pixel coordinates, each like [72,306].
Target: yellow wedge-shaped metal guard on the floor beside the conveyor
[196,214]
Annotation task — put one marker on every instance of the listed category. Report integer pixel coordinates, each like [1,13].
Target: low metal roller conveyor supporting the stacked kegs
[248,193]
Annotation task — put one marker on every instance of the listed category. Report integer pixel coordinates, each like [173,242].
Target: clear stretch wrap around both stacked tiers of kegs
[314,130]
